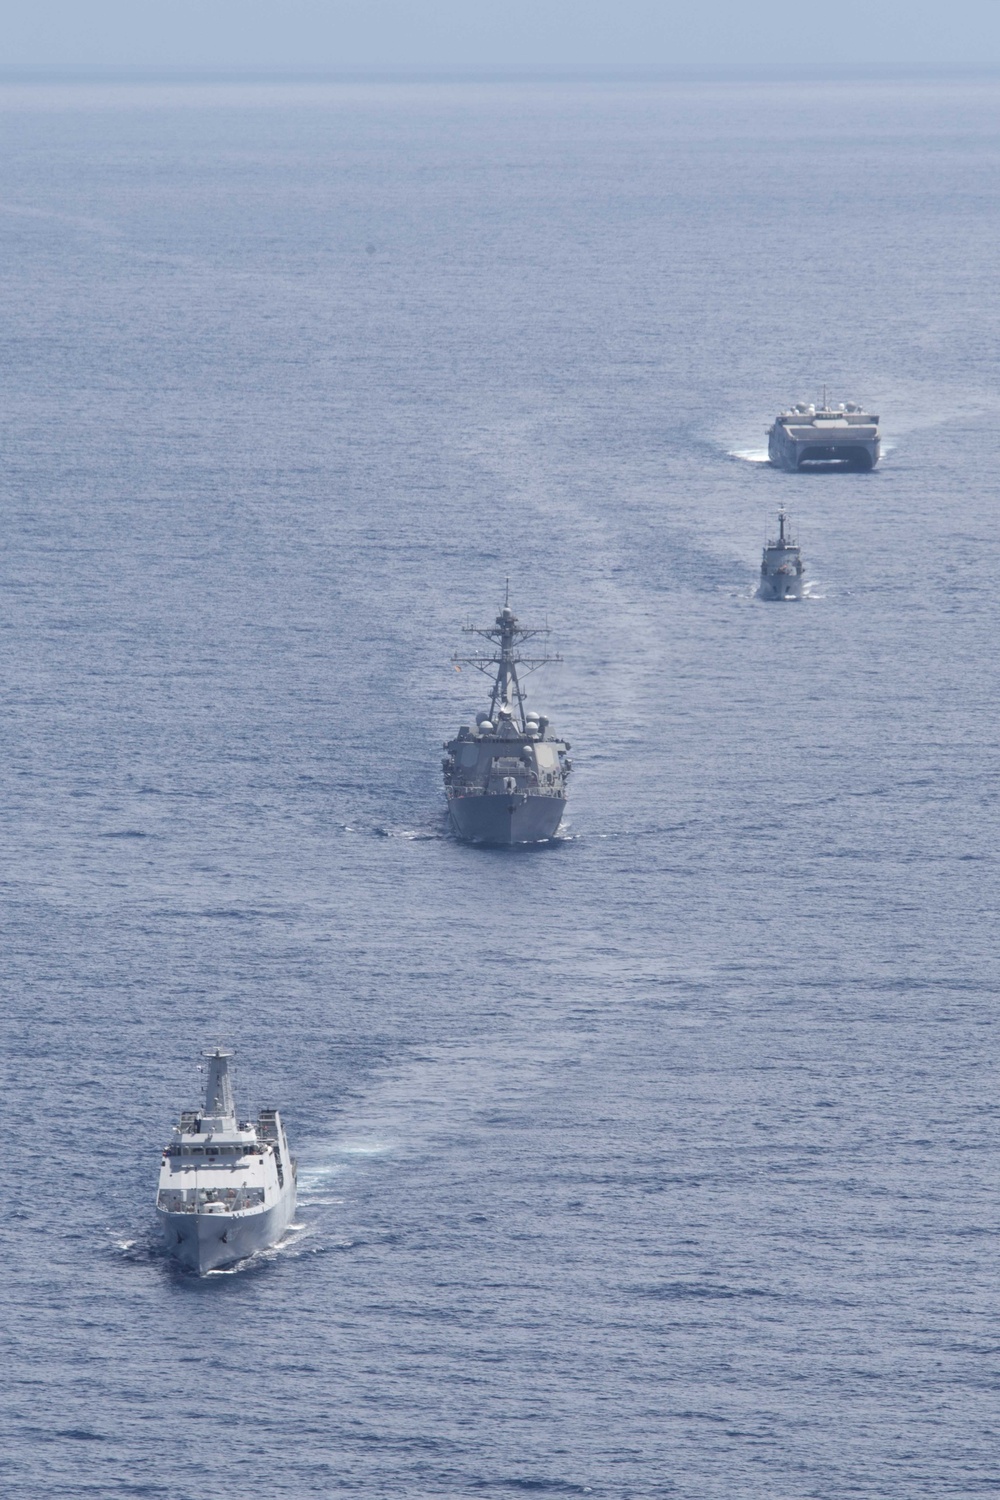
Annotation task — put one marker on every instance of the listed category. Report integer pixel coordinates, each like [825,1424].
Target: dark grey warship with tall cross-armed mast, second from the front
[506,781]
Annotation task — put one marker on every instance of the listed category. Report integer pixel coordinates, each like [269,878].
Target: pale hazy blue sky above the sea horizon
[473,35]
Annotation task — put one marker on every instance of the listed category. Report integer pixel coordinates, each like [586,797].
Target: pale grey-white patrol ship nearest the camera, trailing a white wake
[227,1187]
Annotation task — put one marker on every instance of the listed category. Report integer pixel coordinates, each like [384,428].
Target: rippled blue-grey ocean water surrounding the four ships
[660,1162]
